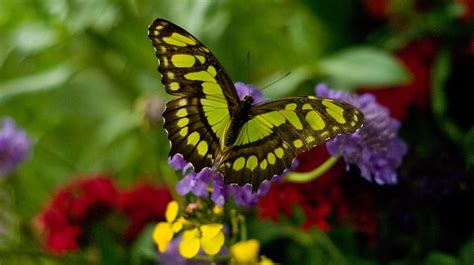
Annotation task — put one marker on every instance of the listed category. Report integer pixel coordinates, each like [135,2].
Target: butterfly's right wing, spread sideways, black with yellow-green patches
[268,143]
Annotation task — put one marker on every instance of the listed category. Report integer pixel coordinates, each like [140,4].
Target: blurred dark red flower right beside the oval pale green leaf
[418,58]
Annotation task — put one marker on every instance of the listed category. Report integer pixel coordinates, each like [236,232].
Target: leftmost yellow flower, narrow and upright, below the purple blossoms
[164,231]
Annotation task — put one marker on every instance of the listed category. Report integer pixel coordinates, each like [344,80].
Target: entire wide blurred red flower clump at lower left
[87,201]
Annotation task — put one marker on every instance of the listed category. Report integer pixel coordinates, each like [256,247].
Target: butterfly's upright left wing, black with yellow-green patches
[205,97]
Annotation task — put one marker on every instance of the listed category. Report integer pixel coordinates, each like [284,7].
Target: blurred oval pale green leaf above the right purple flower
[363,66]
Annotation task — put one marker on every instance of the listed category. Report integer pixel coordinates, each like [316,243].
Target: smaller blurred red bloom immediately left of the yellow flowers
[144,204]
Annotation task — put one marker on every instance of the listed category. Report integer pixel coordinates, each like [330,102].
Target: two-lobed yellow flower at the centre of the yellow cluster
[208,237]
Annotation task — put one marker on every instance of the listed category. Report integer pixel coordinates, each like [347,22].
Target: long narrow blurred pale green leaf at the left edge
[39,82]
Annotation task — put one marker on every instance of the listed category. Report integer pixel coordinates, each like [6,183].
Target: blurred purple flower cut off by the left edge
[14,146]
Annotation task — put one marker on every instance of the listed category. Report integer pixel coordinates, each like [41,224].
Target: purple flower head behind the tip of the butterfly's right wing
[376,148]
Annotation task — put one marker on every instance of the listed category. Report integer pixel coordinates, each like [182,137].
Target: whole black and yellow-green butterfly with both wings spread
[210,126]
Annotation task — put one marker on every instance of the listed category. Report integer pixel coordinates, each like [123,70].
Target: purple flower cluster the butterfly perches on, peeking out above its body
[198,182]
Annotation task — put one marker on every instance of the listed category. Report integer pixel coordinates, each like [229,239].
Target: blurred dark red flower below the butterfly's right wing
[323,200]
